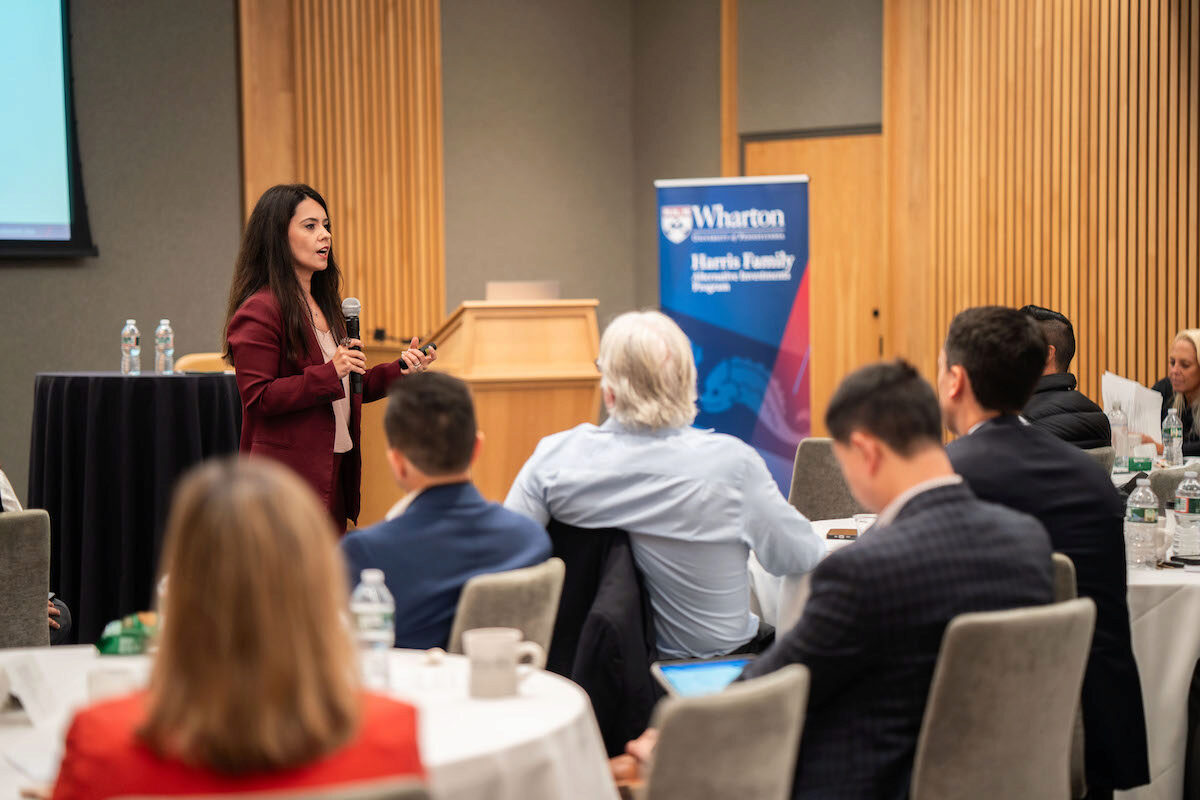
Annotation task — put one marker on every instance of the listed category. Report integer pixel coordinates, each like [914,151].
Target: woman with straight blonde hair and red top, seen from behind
[255,685]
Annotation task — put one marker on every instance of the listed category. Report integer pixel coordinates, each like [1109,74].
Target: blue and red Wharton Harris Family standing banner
[734,273]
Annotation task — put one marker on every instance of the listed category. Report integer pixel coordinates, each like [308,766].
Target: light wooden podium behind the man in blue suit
[531,366]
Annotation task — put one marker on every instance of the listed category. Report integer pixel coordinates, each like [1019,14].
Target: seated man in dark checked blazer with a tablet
[873,627]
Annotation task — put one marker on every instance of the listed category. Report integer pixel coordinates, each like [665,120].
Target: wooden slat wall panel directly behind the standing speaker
[346,95]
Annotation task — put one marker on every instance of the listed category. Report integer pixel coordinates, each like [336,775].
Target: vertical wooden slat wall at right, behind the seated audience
[1045,152]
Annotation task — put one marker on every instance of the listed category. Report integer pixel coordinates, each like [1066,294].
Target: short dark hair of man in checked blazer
[890,401]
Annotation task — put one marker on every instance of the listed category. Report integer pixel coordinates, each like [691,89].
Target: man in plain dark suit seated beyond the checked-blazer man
[987,370]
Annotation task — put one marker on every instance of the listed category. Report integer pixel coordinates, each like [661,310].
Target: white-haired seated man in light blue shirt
[695,503]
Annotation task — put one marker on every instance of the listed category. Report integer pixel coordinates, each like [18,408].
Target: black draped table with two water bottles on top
[107,450]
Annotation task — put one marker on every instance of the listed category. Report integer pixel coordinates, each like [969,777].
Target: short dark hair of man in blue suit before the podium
[431,419]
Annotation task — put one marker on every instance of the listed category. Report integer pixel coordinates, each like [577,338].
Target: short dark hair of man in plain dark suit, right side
[1004,353]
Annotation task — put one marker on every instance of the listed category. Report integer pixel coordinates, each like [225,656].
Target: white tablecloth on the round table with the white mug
[542,745]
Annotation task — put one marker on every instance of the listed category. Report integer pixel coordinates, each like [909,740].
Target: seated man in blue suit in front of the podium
[445,532]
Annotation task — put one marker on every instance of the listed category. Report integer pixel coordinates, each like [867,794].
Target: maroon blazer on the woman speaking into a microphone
[287,408]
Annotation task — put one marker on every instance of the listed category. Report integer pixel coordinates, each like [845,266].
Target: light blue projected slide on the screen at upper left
[35,193]
